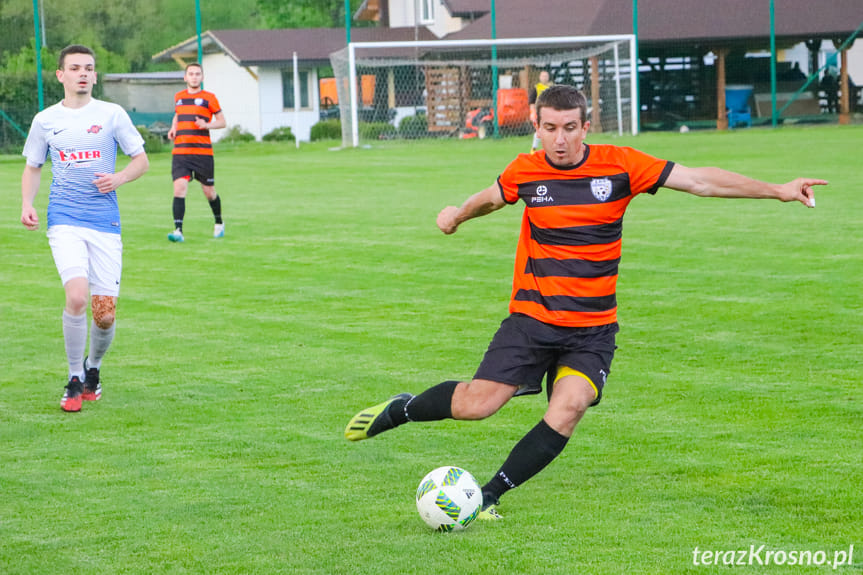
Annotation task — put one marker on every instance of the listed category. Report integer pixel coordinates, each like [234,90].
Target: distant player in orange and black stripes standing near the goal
[196,112]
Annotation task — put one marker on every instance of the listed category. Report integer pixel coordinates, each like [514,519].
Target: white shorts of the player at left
[82,252]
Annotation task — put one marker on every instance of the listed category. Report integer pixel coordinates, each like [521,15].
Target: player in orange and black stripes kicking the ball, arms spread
[563,312]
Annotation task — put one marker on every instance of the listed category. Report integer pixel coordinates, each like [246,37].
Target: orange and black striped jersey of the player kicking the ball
[569,249]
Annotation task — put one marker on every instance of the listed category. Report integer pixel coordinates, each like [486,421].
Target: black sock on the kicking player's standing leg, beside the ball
[529,456]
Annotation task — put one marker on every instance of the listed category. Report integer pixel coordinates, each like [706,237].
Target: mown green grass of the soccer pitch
[732,418]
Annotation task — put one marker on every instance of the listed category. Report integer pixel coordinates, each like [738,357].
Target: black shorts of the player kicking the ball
[525,349]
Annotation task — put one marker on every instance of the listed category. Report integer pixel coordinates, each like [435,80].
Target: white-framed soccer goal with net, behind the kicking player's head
[477,88]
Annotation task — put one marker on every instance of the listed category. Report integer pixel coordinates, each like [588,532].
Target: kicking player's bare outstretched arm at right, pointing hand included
[717,183]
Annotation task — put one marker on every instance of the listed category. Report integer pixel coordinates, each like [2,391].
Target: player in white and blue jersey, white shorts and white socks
[81,134]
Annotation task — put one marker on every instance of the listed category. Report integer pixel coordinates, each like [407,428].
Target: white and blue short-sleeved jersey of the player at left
[82,142]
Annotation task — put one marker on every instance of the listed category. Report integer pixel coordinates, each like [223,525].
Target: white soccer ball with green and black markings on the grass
[449,499]
